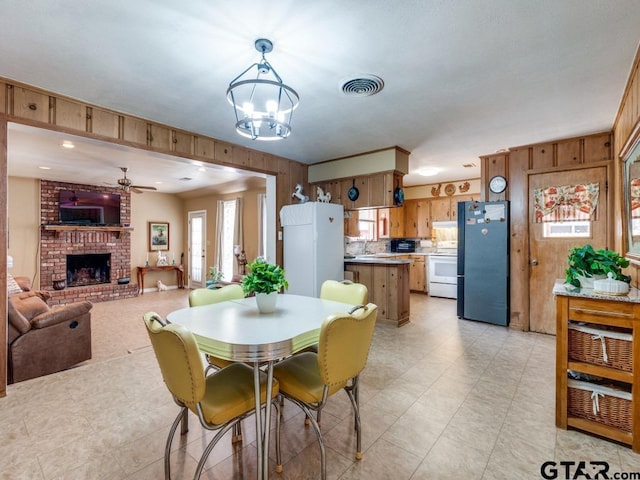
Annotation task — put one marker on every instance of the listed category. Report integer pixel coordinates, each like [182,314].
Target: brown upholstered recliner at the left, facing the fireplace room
[44,339]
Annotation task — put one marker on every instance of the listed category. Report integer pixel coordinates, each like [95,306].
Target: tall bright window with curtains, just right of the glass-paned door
[229,234]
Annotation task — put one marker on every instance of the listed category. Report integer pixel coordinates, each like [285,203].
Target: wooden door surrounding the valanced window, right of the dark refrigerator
[548,255]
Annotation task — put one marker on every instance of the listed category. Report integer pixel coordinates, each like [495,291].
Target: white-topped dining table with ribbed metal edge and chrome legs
[235,330]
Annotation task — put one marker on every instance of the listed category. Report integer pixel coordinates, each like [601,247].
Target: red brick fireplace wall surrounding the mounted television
[92,282]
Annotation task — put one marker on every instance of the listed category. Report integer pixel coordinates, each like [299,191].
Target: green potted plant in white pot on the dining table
[265,280]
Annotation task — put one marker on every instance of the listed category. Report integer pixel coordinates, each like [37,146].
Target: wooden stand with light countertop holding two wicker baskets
[598,363]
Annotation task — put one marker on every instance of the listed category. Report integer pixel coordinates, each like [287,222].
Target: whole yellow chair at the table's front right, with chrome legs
[308,379]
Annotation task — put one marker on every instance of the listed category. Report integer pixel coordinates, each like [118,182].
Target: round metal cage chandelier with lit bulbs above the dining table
[263,104]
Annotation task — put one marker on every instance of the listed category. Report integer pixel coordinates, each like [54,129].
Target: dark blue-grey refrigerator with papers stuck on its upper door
[483,261]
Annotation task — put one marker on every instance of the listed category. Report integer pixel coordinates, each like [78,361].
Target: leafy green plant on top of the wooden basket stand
[588,262]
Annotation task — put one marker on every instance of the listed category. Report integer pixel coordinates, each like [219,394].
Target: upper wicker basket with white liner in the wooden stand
[608,348]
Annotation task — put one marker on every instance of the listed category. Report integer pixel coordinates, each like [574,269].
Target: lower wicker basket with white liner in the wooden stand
[599,403]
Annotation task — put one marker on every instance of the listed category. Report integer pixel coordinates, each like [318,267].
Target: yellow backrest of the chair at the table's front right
[344,344]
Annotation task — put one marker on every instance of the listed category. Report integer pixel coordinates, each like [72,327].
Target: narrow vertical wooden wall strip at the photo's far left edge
[3,257]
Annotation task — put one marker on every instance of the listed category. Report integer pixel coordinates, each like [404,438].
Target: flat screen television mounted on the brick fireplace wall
[89,208]
